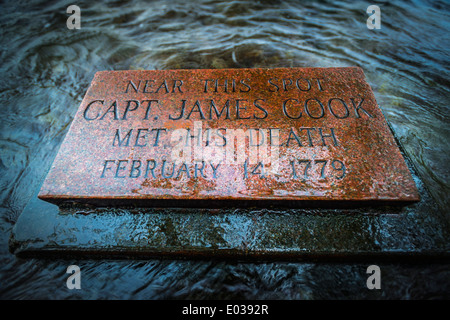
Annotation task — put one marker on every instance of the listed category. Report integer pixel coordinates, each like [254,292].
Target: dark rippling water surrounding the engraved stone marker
[47,68]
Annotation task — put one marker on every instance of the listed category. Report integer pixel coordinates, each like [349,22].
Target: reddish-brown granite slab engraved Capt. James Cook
[314,134]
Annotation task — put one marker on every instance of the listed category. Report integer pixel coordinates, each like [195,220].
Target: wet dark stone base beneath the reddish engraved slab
[415,231]
